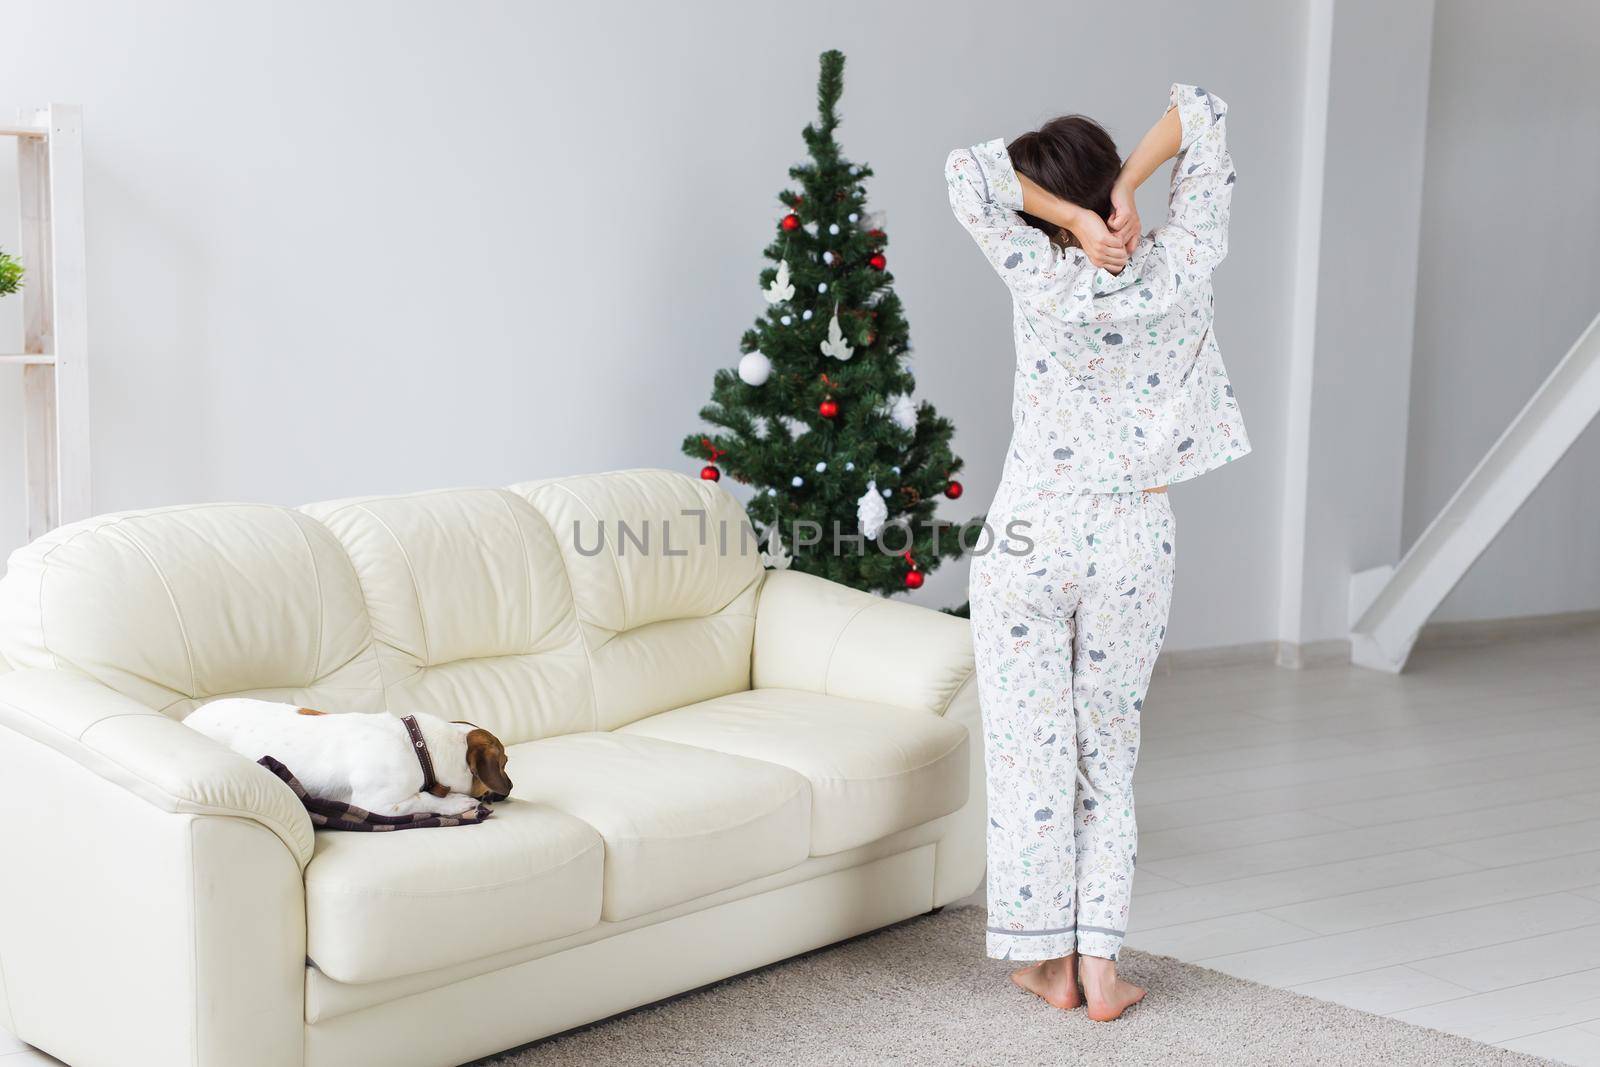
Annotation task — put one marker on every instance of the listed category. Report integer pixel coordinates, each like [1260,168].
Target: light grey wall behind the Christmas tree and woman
[377,247]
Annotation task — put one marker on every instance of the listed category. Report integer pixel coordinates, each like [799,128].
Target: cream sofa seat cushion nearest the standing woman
[874,770]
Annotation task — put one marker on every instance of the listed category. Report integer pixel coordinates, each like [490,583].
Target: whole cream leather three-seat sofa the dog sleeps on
[716,769]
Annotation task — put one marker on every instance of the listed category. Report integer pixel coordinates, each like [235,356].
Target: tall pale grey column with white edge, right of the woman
[1345,470]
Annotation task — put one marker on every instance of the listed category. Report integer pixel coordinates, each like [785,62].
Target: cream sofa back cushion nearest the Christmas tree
[665,577]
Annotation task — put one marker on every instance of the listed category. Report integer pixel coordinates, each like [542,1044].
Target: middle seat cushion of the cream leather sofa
[678,821]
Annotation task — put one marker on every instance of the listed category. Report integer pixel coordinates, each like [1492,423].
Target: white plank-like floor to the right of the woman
[1425,847]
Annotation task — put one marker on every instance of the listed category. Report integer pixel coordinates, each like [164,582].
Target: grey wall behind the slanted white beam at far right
[1508,279]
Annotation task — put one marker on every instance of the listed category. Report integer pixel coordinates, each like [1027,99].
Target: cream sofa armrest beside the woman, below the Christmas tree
[818,636]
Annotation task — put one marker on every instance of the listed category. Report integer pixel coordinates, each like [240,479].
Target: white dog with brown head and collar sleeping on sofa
[385,764]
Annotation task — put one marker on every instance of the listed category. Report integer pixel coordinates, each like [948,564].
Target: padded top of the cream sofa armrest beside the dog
[148,754]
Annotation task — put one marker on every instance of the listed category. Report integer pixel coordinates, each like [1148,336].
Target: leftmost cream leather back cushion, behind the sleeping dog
[175,607]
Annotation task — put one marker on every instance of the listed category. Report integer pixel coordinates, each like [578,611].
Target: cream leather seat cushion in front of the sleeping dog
[388,905]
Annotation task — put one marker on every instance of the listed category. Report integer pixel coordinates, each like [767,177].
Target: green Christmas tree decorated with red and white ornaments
[820,418]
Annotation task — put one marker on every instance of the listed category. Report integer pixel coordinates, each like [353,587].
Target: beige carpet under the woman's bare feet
[922,993]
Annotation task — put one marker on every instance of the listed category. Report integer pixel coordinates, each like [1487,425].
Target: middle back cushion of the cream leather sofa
[471,609]
